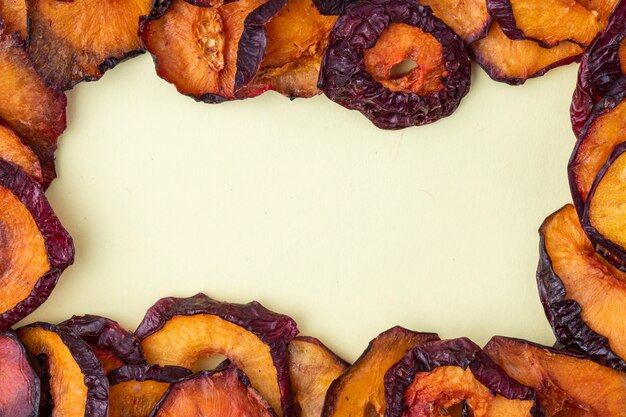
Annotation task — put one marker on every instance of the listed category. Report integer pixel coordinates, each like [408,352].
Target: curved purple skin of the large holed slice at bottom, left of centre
[275,330]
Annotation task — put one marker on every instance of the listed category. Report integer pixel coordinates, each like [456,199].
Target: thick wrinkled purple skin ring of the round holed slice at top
[345,79]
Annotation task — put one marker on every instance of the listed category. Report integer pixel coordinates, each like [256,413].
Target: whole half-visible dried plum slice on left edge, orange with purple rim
[34,248]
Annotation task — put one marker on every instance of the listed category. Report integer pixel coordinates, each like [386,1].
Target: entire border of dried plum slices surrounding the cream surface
[353,52]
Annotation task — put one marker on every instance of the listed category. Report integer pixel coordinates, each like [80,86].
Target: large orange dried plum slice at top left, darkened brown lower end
[68,42]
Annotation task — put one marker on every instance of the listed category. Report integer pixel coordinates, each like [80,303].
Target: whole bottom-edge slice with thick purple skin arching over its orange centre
[434,377]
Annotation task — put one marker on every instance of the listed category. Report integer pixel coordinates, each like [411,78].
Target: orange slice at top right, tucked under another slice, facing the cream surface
[515,61]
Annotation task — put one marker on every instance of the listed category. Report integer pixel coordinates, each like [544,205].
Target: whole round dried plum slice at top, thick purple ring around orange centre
[369,42]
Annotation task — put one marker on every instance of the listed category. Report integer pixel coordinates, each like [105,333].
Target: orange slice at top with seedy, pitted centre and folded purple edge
[208,53]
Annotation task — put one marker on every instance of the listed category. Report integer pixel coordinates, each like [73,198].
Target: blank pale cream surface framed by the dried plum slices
[310,209]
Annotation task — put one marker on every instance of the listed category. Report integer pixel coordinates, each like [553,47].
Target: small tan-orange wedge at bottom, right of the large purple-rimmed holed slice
[312,368]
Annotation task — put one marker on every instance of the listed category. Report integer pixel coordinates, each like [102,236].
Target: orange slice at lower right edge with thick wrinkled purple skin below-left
[584,297]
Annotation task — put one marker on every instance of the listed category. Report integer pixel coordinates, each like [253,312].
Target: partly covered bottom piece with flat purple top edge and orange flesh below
[135,389]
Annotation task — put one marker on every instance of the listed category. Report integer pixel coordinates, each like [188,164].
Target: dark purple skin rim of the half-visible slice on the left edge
[58,242]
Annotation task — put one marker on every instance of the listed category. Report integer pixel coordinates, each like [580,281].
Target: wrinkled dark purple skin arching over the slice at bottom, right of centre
[456,352]
